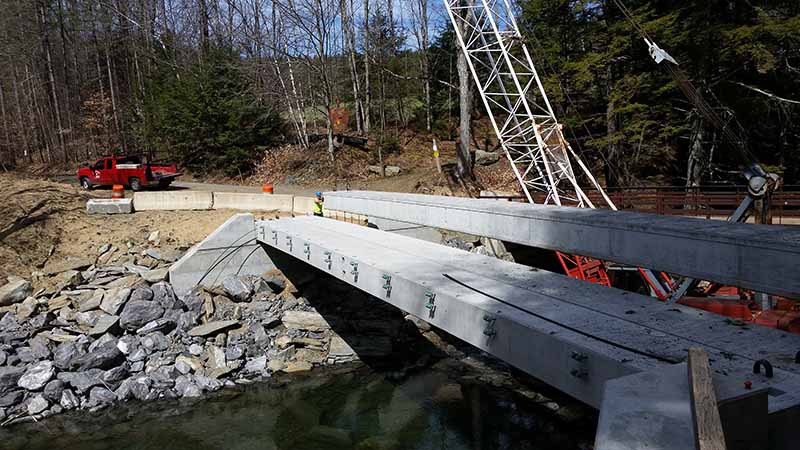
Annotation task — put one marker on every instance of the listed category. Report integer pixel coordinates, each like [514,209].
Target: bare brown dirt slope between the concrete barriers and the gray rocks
[42,221]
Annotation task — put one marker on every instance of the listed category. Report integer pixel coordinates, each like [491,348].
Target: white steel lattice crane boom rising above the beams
[516,103]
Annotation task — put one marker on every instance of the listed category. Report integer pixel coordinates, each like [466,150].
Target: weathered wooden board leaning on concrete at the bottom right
[707,424]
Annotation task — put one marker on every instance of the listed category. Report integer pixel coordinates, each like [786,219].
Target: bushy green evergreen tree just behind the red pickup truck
[207,119]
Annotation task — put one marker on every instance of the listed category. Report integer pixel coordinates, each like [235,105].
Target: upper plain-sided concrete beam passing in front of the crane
[759,257]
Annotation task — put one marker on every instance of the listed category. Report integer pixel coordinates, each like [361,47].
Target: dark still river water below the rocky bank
[355,410]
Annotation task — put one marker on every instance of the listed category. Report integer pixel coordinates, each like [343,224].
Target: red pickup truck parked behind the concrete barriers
[127,170]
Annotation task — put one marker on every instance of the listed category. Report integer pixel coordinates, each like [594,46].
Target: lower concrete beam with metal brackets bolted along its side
[572,335]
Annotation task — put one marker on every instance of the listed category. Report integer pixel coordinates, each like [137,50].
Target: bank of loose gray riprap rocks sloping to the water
[86,333]
